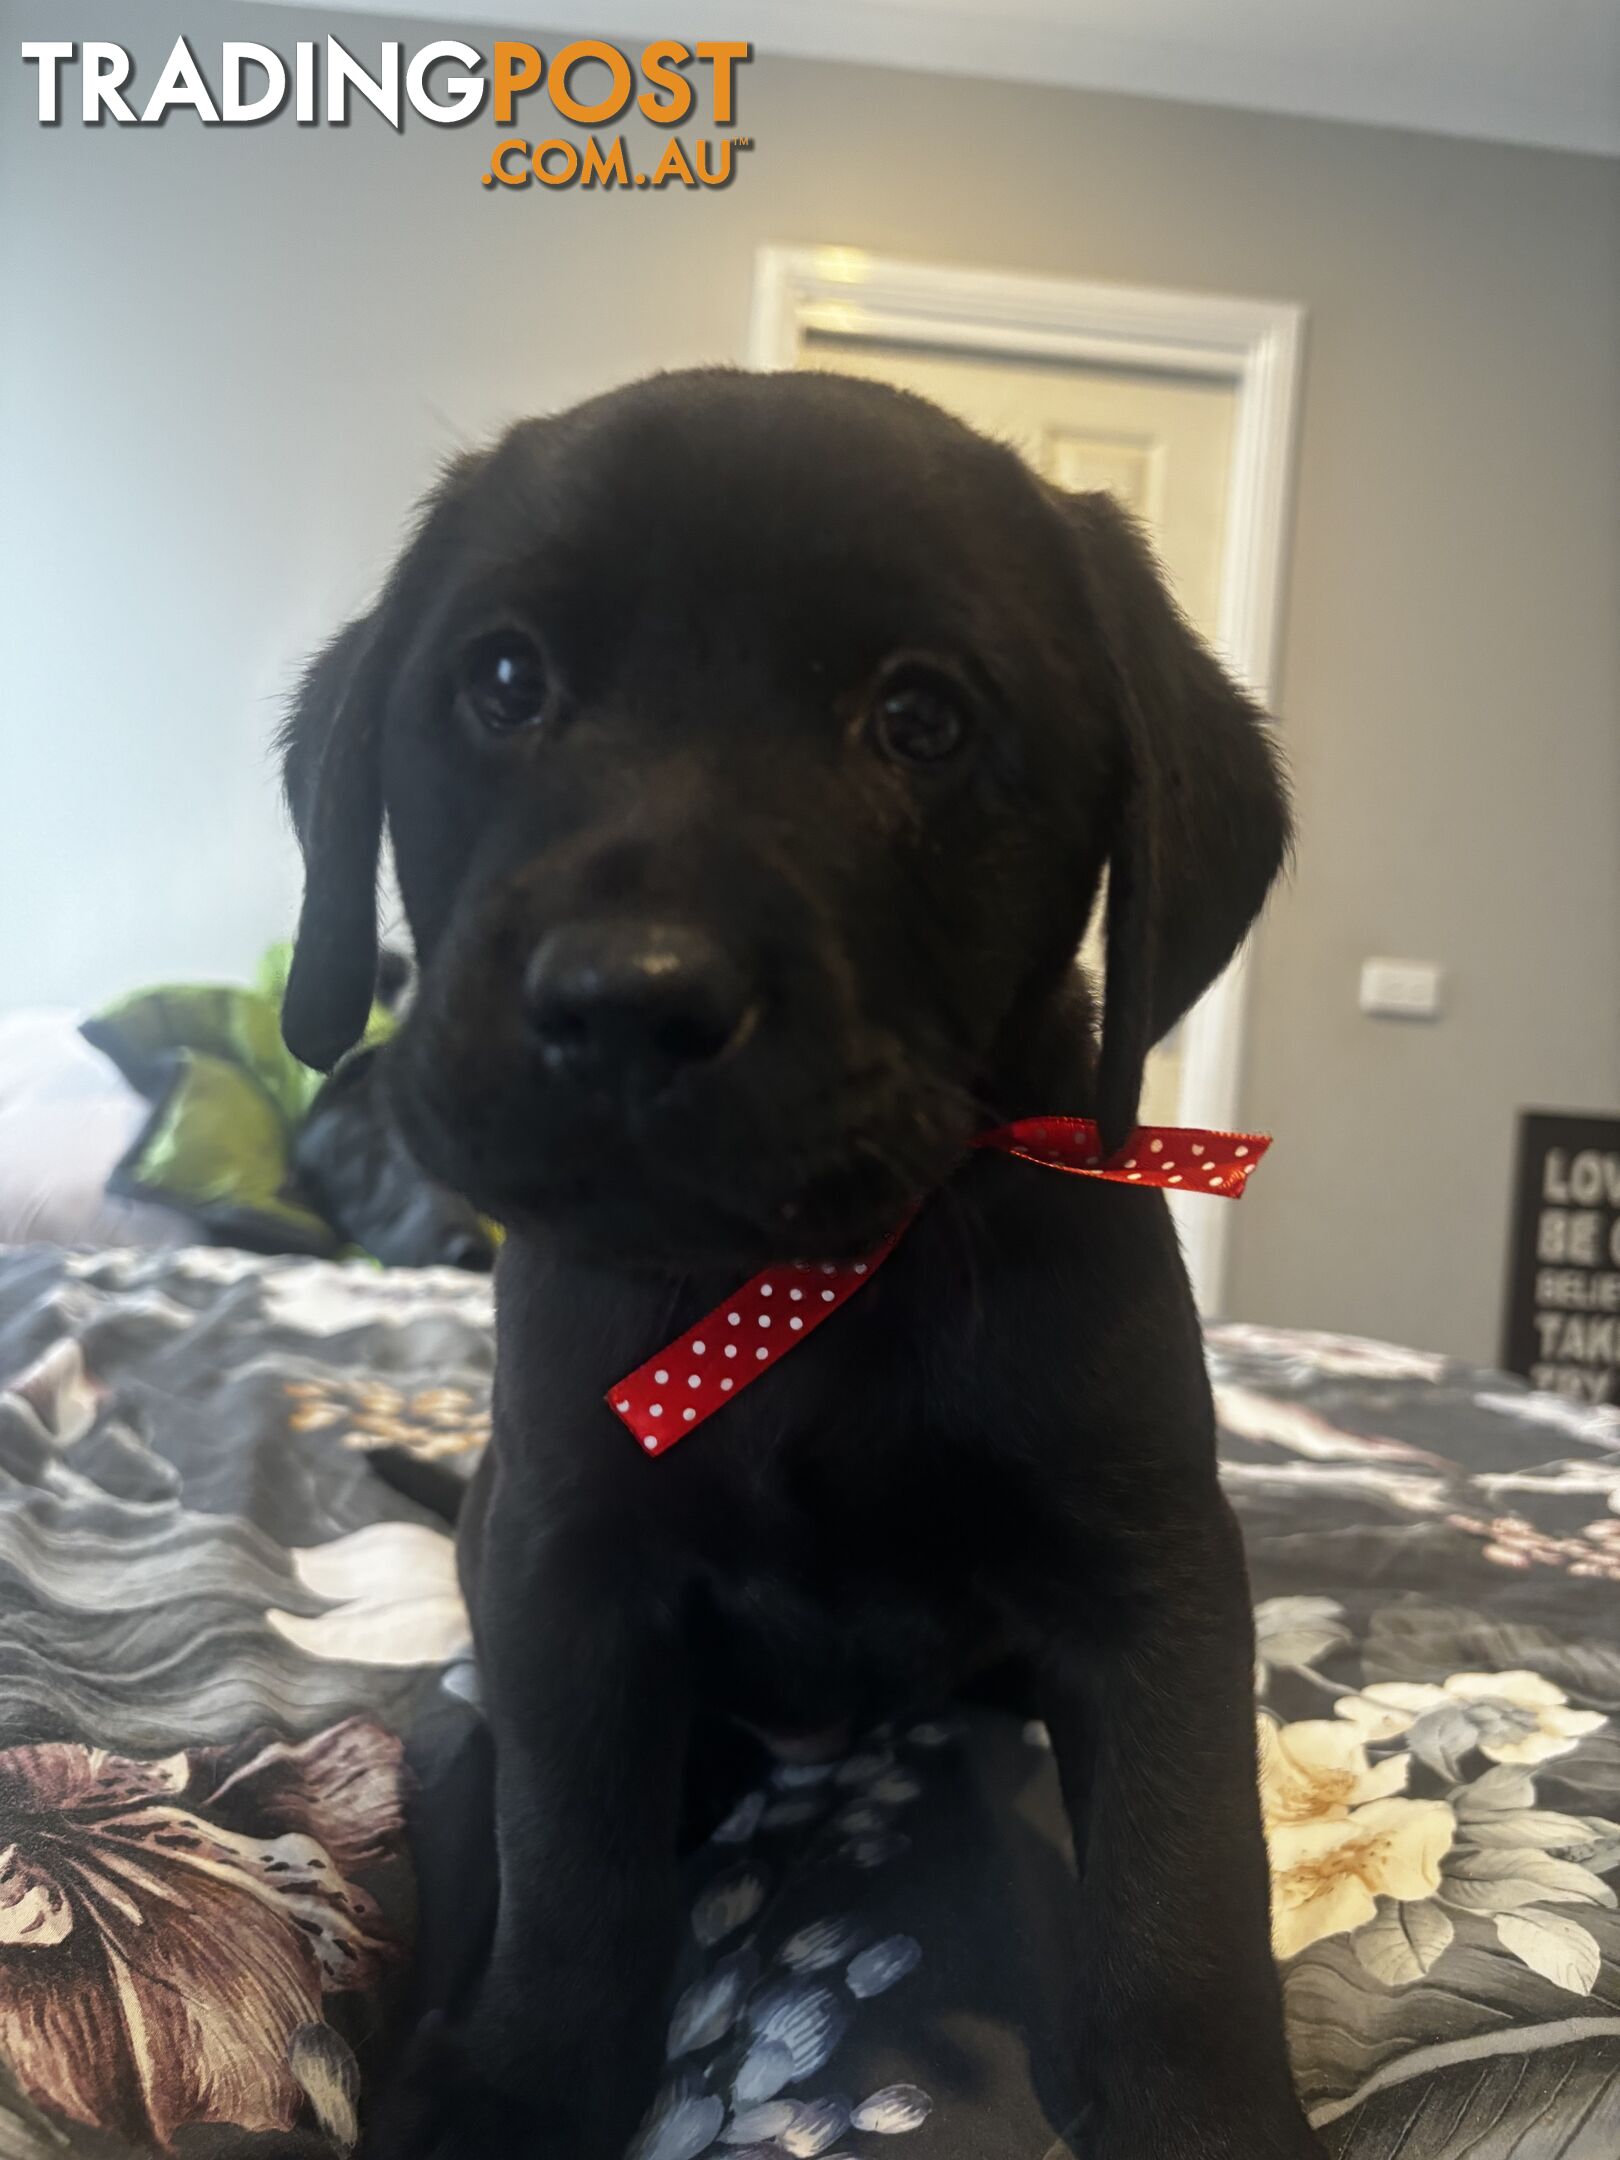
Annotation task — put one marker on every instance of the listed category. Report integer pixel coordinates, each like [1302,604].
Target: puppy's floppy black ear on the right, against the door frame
[1200,820]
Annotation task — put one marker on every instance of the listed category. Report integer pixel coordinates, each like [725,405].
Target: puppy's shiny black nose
[632,1003]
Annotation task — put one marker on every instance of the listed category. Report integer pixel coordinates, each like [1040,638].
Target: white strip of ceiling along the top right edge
[1504,70]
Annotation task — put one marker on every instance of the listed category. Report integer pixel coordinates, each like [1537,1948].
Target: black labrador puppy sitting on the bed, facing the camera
[753,751]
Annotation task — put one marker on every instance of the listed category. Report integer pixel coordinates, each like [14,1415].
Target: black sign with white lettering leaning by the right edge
[1563,1325]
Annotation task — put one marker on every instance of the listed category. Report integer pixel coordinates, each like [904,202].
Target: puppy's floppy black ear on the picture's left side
[336,796]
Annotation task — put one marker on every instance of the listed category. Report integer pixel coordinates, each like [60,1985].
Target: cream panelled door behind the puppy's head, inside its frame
[1159,442]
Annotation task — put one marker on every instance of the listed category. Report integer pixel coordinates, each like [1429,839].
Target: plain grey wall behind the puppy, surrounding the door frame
[232,357]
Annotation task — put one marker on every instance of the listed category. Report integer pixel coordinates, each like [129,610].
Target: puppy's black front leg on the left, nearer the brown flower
[558,2053]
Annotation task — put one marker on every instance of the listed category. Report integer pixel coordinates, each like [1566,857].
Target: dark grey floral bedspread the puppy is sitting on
[217,1625]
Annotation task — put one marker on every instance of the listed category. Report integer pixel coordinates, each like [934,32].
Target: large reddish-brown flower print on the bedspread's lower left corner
[170,1928]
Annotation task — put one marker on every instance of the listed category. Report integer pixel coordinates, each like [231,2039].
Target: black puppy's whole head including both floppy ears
[753,751]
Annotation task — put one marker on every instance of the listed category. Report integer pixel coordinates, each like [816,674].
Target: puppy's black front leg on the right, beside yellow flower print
[1150,1703]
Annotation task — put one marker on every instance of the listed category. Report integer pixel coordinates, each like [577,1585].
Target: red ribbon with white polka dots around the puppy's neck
[714,1362]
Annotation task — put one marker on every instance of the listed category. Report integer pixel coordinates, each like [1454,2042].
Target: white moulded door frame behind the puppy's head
[1252,345]
